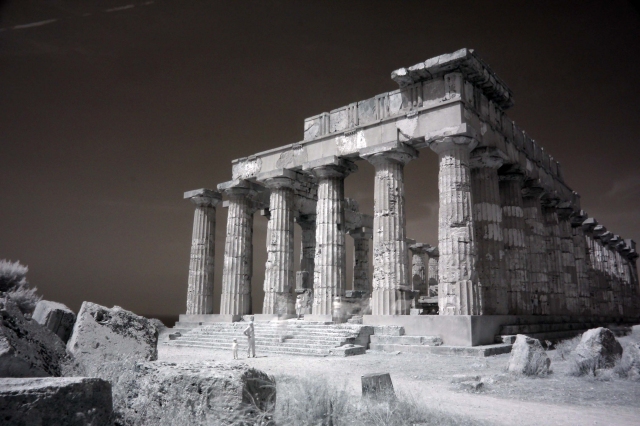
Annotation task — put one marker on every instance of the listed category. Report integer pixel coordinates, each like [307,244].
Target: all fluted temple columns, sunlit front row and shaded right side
[505,245]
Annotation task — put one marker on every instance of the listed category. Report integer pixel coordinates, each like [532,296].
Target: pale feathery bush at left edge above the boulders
[14,284]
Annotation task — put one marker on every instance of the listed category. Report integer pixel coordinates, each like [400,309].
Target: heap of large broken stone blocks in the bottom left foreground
[101,368]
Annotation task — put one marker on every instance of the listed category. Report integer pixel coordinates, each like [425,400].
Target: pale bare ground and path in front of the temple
[504,399]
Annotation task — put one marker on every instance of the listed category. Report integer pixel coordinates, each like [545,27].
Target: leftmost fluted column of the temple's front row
[203,243]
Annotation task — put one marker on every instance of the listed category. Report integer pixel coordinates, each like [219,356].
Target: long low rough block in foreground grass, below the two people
[198,393]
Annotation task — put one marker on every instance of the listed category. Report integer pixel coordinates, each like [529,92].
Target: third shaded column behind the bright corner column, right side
[536,245]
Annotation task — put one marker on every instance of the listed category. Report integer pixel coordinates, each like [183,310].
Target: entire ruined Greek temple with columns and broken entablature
[514,245]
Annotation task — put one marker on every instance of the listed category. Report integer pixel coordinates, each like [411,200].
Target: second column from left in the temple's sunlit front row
[238,250]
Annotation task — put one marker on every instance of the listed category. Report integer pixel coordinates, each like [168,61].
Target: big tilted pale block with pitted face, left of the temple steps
[104,335]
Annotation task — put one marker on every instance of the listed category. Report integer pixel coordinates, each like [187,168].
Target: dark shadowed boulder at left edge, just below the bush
[27,349]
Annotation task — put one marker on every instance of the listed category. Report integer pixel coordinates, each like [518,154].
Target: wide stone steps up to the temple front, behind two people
[291,337]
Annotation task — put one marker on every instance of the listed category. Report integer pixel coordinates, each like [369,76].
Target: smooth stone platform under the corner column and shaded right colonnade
[476,330]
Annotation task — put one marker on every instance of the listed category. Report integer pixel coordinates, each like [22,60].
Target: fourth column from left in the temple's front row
[330,256]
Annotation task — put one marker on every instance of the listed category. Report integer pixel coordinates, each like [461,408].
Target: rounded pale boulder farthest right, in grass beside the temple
[598,348]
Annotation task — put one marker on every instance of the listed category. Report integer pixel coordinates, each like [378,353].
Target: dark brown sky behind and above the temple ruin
[110,112]
